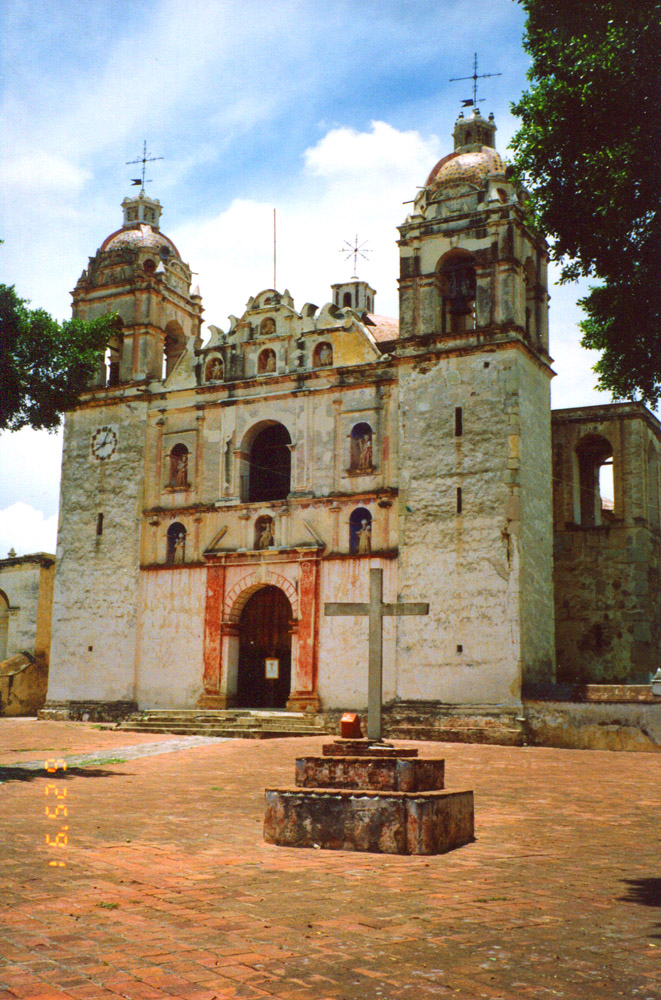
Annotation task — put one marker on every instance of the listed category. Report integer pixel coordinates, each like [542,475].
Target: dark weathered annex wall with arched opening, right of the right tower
[607,576]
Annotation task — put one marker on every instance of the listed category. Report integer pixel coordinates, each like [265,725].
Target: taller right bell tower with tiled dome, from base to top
[475,438]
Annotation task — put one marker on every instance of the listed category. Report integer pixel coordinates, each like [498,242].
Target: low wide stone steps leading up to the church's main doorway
[242,724]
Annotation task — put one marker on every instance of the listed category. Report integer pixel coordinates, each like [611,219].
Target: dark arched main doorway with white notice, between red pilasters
[264,634]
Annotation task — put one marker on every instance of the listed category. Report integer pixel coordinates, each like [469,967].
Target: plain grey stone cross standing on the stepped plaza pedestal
[376,609]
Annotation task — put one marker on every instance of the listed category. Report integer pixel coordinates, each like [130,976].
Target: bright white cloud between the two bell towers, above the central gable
[349,182]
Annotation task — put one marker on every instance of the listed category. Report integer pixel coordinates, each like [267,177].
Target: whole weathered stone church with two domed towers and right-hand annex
[215,494]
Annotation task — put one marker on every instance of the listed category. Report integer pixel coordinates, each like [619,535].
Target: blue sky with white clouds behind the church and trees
[328,110]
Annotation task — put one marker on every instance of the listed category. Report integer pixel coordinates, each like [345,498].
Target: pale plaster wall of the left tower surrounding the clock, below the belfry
[96,583]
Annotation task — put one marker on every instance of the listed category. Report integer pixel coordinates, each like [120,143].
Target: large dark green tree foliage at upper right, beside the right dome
[589,149]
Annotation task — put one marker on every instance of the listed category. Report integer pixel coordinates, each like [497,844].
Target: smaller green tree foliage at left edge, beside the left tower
[44,365]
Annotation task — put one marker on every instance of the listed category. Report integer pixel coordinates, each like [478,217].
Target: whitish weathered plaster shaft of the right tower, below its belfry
[466,564]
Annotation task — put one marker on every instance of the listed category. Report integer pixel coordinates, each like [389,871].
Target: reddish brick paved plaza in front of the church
[169,891]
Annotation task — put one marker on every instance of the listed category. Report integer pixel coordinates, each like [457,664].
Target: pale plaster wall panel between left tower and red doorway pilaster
[170,637]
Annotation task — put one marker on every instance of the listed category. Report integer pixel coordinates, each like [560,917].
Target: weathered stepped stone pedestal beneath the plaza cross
[362,796]
